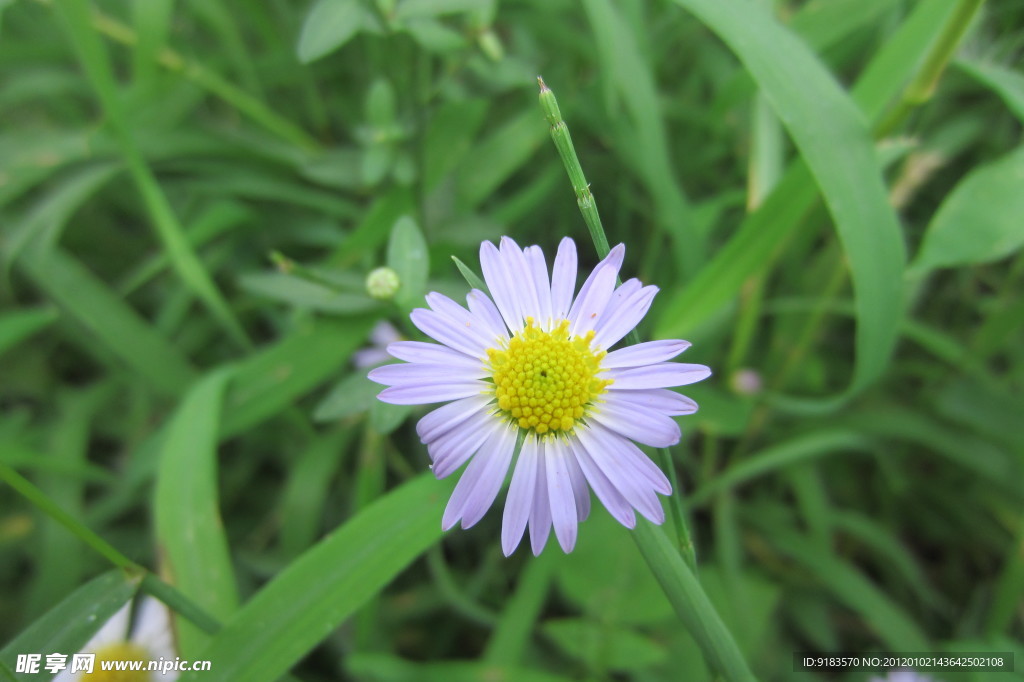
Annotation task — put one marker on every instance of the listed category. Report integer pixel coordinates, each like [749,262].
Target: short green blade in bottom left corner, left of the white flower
[68,627]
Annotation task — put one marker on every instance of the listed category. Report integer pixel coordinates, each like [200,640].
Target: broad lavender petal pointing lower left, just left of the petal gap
[482,481]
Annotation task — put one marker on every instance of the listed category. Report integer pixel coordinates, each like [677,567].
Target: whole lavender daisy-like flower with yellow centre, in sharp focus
[536,362]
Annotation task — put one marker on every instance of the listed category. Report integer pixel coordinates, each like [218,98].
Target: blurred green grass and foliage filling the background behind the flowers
[193,193]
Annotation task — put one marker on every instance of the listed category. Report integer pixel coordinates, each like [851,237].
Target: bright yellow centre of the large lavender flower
[544,381]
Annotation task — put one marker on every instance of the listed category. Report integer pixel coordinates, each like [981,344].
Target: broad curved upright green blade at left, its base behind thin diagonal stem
[190,532]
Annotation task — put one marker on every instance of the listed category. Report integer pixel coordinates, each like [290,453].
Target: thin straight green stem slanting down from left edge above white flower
[151,584]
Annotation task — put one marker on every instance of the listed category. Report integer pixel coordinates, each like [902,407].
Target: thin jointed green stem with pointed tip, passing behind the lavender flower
[564,143]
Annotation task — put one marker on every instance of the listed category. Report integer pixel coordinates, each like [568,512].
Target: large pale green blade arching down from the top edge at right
[801,92]
